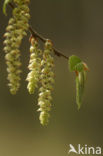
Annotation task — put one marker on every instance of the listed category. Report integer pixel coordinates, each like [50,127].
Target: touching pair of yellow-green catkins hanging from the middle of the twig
[41,73]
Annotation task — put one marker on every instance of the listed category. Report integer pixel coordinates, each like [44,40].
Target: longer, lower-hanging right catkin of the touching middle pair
[47,81]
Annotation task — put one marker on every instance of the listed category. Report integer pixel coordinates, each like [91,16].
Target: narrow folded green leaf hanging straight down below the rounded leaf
[80,84]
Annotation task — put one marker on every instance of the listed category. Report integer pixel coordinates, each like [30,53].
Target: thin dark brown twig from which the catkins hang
[36,34]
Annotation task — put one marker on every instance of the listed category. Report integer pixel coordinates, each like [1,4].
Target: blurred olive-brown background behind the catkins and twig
[75,27]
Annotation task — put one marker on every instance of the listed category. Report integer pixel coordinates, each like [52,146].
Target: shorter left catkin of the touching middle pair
[33,76]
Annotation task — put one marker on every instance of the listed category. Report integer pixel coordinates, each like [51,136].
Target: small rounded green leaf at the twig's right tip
[75,63]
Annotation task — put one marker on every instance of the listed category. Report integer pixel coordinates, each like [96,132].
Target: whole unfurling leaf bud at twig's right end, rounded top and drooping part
[80,68]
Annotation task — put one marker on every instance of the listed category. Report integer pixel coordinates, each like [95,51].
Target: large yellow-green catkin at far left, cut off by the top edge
[15,31]
